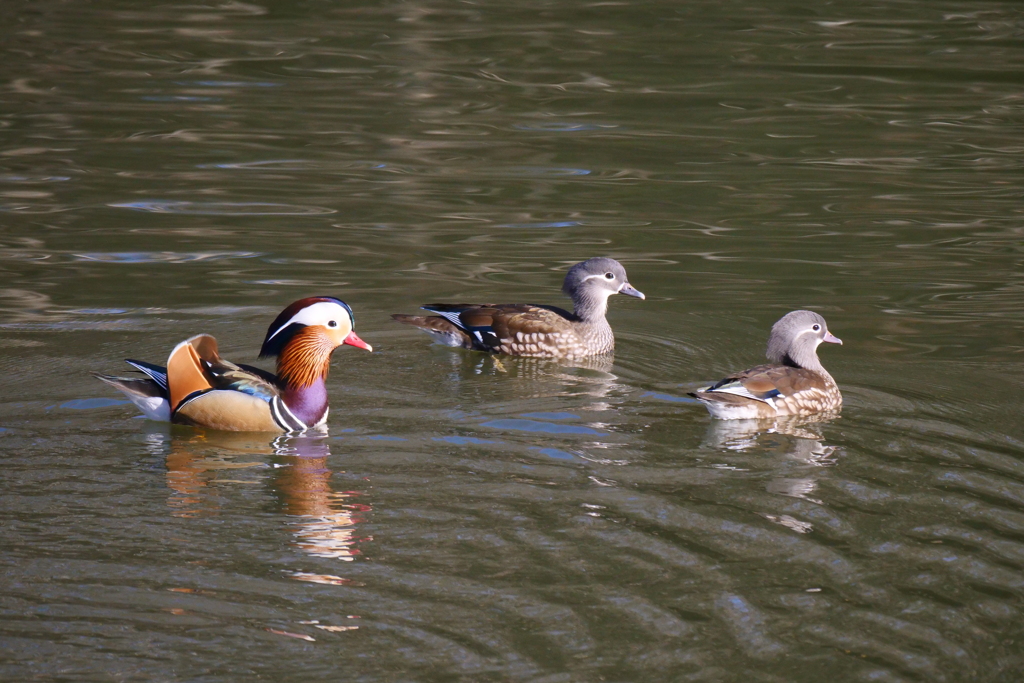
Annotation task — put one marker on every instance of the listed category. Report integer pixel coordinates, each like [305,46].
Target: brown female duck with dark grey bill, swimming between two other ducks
[531,330]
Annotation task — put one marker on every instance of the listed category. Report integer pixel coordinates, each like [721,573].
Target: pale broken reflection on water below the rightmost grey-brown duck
[797,440]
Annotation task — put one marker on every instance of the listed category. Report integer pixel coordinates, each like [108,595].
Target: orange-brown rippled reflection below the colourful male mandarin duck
[324,521]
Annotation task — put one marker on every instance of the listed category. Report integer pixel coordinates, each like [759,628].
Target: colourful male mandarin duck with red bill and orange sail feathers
[199,388]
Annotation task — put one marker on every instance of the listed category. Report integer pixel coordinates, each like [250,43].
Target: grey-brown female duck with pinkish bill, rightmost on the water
[795,383]
